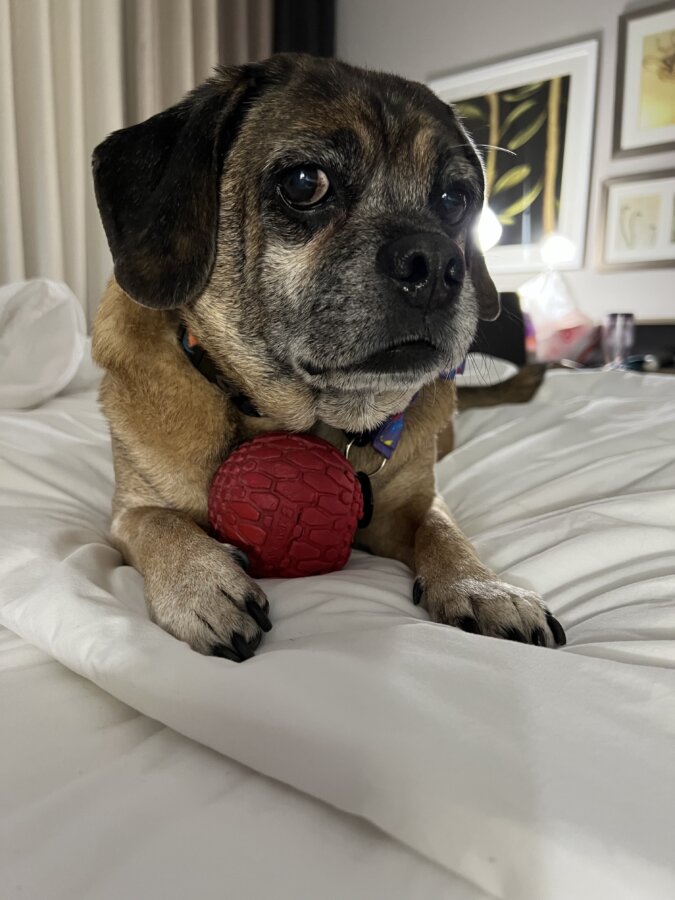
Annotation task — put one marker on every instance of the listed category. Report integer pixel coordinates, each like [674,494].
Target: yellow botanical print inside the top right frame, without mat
[657,82]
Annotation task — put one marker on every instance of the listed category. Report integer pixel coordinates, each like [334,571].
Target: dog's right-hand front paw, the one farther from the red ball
[491,607]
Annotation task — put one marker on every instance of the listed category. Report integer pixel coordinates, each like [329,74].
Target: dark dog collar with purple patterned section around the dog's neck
[384,439]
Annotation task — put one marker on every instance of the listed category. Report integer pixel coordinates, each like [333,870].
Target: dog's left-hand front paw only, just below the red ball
[206,599]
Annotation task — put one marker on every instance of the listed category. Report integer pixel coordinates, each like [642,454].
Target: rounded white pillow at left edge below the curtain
[42,339]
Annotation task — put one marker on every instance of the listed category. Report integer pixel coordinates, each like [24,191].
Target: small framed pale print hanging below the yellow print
[638,221]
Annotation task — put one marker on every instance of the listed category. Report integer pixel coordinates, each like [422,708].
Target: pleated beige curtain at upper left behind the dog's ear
[71,71]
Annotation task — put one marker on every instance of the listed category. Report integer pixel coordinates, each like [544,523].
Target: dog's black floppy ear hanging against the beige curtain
[157,189]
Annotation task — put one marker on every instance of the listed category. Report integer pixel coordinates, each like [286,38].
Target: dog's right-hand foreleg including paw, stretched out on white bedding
[413,524]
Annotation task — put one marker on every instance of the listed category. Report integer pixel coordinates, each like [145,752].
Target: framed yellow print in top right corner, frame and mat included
[644,114]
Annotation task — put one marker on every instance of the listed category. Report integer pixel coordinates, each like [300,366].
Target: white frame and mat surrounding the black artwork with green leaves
[578,61]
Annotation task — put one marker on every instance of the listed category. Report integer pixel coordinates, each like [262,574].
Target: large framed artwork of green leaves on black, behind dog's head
[532,118]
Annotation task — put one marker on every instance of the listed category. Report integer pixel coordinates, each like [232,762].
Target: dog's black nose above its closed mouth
[427,267]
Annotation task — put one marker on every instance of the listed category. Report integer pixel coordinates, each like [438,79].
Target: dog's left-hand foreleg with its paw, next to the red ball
[195,587]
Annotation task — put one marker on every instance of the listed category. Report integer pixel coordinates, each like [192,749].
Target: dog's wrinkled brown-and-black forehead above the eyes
[394,135]
